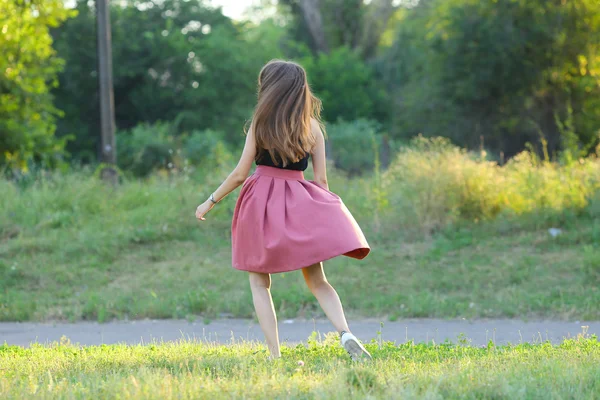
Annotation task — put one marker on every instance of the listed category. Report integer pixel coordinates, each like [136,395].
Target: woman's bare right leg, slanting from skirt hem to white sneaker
[326,295]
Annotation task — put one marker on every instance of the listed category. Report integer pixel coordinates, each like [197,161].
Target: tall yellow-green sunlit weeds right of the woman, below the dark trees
[432,184]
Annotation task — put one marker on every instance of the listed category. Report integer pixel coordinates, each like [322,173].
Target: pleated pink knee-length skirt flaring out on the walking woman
[283,223]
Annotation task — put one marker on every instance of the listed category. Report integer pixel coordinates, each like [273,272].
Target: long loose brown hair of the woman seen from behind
[282,118]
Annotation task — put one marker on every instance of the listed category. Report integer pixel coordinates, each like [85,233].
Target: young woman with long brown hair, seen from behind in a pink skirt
[281,221]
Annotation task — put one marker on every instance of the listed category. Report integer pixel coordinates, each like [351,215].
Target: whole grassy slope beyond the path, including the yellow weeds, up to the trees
[451,237]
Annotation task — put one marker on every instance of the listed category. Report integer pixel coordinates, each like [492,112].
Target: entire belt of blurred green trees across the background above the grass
[495,74]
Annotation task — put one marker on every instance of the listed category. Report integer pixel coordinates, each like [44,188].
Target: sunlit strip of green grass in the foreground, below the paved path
[320,370]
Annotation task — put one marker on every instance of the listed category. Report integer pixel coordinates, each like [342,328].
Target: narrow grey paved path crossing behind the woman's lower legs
[479,332]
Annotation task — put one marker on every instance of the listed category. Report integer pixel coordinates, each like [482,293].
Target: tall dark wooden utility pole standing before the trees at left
[107,105]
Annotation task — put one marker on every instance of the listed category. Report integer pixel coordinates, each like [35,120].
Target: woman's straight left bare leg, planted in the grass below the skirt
[260,284]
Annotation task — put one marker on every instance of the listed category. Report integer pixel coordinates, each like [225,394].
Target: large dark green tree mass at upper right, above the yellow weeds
[507,70]
